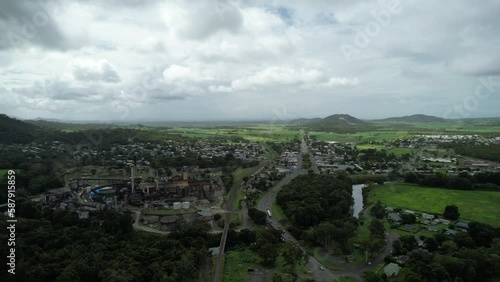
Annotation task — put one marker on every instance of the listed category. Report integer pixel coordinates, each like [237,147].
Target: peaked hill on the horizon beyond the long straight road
[339,123]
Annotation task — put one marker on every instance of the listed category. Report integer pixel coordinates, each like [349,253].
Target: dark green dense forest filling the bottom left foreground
[54,245]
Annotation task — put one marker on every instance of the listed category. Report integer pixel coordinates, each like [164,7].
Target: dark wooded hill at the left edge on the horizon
[16,131]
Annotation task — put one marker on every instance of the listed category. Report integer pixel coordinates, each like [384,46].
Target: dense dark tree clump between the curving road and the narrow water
[319,207]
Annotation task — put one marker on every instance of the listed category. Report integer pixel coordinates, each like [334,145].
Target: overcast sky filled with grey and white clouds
[235,60]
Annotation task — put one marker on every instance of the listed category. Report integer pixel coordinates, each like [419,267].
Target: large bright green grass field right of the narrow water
[481,206]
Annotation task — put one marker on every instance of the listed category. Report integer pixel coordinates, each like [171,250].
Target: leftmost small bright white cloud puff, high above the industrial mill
[90,70]
